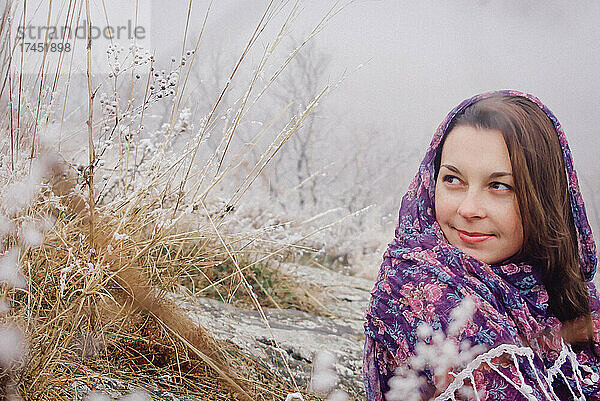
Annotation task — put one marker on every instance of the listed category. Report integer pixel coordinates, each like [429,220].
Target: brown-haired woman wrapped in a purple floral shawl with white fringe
[494,216]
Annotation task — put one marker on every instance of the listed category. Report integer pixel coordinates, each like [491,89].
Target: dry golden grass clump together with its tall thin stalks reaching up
[95,306]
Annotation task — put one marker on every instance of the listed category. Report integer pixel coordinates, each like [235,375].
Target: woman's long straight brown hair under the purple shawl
[549,236]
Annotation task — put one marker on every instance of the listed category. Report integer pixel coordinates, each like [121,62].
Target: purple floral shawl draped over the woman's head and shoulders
[423,278]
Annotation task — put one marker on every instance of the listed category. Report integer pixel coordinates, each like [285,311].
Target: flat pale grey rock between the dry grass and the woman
[298,335]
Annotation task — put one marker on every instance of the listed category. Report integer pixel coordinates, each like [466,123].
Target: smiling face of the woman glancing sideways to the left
[475,203]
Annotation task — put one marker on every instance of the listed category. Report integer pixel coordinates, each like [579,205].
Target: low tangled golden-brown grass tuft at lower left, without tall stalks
[92,313]
